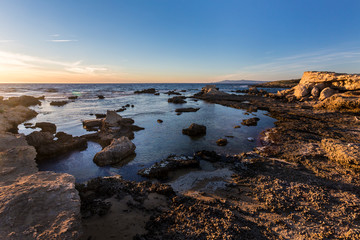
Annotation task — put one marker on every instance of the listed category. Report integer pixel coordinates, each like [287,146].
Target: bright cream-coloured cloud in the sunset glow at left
[16,61]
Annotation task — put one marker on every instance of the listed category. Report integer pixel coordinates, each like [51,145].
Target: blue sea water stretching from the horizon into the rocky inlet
[154,143]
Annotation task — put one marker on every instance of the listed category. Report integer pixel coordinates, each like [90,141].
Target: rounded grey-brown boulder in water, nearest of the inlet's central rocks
[117,151]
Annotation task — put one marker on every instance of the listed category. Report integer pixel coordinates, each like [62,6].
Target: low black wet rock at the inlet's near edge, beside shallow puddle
[161,169]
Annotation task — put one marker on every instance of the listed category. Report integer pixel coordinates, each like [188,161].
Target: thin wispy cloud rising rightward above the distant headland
[295,65]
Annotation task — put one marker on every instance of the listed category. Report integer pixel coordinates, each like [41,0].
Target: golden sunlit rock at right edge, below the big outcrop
[344,153]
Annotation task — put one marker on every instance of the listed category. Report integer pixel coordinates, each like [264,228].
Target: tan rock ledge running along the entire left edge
[33,204]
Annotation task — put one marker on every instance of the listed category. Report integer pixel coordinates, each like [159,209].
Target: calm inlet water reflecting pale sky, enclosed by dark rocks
[154,143]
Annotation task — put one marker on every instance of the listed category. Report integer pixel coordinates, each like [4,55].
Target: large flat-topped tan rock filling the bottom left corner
[43,205]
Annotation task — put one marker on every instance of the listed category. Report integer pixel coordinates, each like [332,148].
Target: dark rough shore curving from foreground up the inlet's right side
[292,187]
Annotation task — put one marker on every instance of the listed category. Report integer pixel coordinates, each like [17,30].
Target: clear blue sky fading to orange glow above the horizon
[176,40]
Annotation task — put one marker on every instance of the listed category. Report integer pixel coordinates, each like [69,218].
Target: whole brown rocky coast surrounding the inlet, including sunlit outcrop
[302,183]
